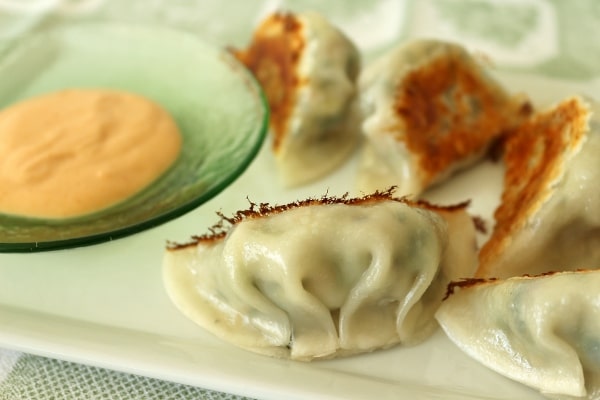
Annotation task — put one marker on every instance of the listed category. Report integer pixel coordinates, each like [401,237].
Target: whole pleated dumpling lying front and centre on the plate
[323,277]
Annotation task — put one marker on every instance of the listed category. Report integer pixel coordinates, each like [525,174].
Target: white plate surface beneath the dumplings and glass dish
[105,305]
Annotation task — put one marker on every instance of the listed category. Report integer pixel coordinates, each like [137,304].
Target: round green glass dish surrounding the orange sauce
[218,106]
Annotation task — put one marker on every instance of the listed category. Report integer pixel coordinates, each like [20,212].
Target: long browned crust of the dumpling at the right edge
[535,156]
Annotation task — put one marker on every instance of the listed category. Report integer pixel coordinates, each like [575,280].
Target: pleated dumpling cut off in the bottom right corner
[542,331]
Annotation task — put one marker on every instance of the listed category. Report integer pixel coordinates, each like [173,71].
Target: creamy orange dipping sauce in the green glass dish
[75,152]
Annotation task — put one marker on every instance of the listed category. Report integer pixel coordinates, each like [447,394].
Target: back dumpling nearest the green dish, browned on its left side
[308,70]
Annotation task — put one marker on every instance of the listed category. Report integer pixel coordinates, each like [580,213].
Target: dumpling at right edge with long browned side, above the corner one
[549,216]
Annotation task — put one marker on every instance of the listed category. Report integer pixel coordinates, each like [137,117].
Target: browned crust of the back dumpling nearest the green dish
[273,57]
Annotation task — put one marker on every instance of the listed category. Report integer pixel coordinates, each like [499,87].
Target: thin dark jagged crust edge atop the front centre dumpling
[219,230]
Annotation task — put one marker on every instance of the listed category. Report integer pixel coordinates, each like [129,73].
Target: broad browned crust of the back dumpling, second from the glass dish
[440,135]
